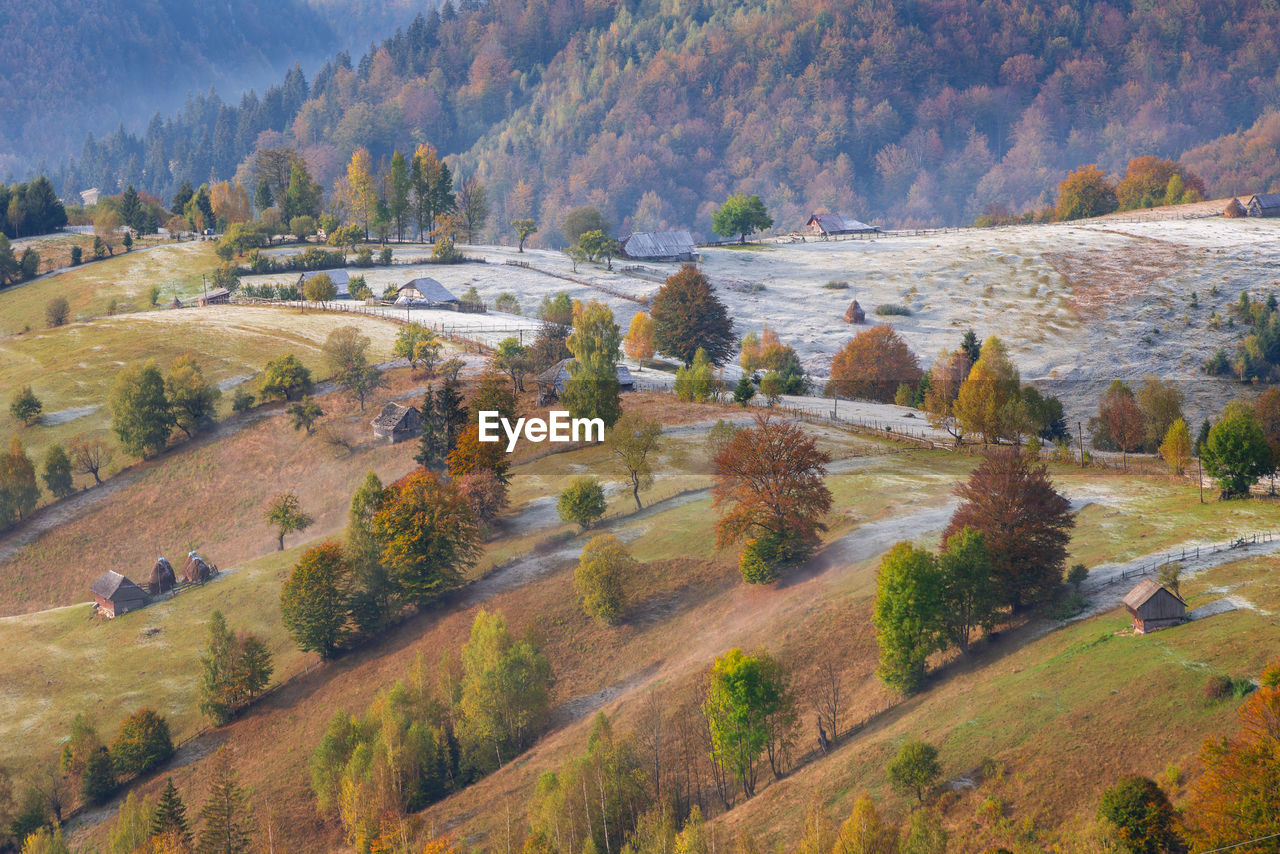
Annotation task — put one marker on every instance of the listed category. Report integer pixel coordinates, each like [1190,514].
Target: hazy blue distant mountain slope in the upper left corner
[72,67]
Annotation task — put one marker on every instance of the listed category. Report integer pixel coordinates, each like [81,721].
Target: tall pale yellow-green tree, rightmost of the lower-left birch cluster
[505,696]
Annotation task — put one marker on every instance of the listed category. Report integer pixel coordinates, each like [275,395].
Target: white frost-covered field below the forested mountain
[1080,305]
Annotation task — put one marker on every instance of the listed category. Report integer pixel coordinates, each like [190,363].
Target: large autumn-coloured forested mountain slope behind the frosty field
[916,113]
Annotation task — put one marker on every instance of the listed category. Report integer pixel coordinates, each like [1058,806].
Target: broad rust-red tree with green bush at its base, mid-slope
[770,488]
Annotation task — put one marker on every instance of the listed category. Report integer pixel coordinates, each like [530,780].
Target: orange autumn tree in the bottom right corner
[1237,798]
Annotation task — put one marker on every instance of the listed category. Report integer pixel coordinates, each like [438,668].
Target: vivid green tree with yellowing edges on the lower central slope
[742,693]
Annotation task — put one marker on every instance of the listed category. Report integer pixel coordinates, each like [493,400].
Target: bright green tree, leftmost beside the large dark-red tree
[908,615]
